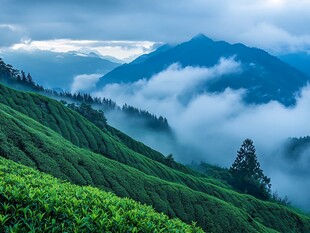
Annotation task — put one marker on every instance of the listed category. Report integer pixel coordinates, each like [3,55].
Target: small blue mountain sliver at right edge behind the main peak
[300,61]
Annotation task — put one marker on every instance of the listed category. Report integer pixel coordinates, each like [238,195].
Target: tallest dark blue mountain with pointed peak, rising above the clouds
[264,76]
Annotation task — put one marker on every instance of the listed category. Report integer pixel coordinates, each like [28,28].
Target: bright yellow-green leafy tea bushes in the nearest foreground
[35,202]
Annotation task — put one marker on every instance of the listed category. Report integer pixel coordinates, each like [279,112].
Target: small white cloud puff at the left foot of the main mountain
[84,82]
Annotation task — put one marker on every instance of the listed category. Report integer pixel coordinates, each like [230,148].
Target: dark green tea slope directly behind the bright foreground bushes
[42,148]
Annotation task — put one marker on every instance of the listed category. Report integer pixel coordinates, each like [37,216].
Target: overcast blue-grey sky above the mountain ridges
[128,28]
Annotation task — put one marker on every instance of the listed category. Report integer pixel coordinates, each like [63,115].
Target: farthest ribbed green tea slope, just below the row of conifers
[80,132]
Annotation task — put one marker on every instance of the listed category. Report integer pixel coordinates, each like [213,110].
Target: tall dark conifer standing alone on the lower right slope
[247,175]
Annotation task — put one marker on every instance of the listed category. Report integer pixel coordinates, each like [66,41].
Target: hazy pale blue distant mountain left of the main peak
[57,70]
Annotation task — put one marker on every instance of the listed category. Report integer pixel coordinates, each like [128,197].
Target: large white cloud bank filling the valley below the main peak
[213,125]
